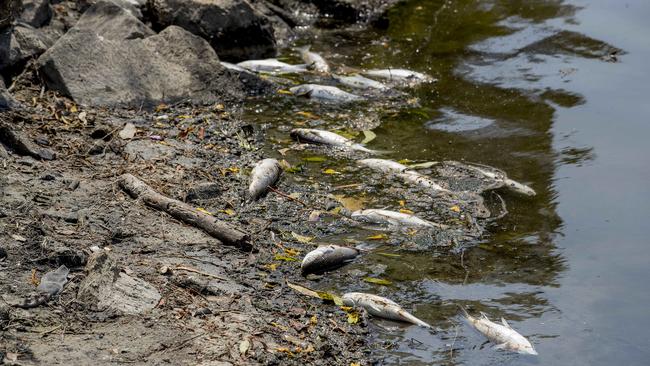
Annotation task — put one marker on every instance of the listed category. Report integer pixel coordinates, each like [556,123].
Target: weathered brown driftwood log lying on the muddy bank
[184,212]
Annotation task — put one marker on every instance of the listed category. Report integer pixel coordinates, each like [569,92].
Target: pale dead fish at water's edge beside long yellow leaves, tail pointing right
[381,307]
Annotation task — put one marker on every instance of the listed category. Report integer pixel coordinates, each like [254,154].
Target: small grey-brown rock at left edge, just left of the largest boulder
[22,42]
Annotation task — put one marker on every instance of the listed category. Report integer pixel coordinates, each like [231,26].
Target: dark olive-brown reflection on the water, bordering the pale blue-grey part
[504,67]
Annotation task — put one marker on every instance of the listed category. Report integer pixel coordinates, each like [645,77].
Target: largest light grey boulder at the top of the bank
[113,68]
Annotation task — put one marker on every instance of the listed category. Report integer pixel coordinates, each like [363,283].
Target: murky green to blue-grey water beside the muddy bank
[556,94]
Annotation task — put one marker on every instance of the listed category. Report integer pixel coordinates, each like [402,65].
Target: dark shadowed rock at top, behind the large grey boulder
[234,28]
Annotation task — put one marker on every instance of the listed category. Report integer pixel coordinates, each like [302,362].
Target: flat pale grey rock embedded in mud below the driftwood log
[109,289]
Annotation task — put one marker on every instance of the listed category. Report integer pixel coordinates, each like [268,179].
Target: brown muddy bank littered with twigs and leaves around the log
[218,305]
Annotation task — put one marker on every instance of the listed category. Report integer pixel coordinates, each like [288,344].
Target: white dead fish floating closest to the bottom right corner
[502,335]
